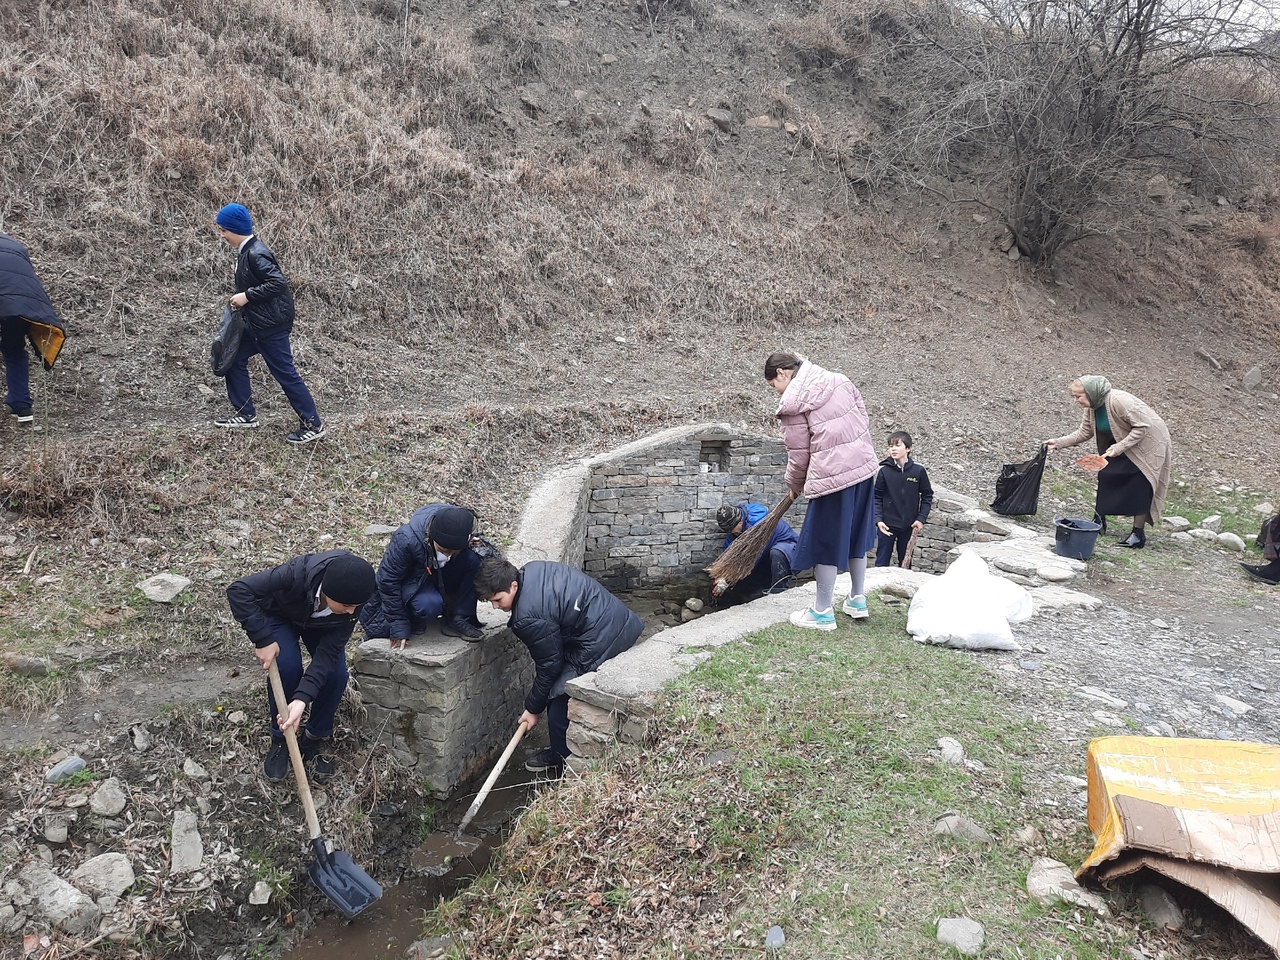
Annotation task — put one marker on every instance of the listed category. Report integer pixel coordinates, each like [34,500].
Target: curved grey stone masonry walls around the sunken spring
[641,516]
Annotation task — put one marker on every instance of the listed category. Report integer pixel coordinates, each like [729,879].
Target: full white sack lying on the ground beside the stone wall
[968,609]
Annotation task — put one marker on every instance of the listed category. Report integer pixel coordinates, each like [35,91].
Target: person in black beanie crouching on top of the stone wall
[427,574]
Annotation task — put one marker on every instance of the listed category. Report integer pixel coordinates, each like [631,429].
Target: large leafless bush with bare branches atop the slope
[1055,112]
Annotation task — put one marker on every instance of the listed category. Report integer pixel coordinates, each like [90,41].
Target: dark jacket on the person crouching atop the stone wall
[408,563]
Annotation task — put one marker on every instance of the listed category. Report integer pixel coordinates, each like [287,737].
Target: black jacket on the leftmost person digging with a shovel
[289,593]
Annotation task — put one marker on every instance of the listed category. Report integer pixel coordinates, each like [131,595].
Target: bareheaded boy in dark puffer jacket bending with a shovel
[570,624]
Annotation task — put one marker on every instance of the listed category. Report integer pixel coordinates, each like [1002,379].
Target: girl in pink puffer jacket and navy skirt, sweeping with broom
[833,463]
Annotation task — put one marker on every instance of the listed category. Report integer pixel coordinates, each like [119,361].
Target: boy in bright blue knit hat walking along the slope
[264,295]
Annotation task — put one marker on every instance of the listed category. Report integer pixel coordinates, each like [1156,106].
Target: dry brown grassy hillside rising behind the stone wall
[518,236]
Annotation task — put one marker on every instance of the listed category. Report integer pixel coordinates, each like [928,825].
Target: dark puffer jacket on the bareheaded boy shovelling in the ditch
[570,624]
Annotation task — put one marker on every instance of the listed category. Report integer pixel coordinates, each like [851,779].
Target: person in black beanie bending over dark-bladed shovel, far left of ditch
[310,601]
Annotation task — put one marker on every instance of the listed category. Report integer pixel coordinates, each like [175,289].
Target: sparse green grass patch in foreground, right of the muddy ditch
[797,783]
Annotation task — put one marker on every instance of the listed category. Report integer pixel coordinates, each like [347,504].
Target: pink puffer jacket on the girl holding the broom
[826,432]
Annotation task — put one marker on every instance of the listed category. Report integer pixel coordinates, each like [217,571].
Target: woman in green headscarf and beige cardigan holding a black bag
[1137,446]
